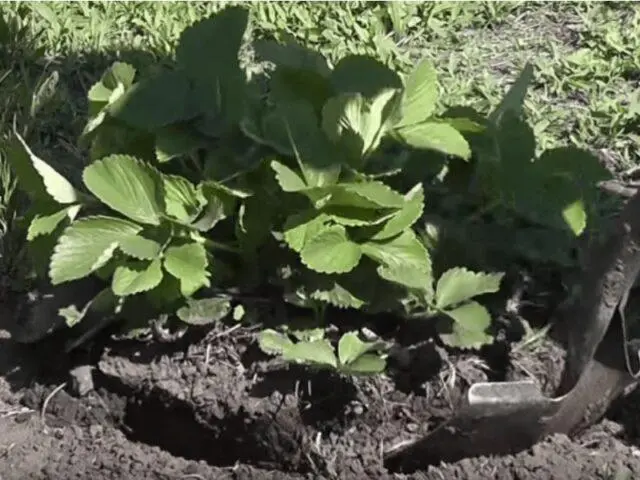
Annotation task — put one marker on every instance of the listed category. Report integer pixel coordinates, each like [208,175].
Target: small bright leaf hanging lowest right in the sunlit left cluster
[188,263]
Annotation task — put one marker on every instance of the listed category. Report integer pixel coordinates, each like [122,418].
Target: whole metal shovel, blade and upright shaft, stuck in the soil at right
[506,417]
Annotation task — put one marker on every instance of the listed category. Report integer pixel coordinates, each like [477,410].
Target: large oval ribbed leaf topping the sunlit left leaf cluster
[128,186]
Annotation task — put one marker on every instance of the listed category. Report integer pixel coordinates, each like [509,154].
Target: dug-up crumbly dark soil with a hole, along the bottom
[214,408]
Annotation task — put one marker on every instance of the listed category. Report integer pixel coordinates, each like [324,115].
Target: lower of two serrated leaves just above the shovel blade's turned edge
[470,322]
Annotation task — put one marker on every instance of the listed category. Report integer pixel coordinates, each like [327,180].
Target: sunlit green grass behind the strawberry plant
[586,55]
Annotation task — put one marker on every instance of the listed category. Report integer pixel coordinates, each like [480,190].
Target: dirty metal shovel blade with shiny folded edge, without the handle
[506,417]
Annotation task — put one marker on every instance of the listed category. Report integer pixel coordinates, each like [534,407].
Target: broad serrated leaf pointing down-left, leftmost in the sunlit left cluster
[86,245]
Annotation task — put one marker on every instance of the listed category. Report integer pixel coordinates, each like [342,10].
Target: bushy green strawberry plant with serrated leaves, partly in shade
[325,185]
